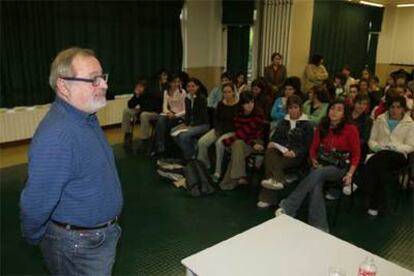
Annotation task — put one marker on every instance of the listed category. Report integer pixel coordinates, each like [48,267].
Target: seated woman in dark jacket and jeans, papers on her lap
[195,121]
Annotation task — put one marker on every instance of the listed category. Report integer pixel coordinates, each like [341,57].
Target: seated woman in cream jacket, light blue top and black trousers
[391,141]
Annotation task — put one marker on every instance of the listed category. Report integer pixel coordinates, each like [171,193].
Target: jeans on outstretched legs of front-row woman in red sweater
[312,185]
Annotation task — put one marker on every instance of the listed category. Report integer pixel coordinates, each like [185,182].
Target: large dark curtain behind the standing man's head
[131,39]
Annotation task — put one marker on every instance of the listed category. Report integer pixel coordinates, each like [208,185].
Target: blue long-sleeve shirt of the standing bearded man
[72,174]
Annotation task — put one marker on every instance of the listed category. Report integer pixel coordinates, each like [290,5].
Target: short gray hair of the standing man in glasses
[62,64]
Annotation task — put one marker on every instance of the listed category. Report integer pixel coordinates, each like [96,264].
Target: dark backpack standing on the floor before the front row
[198,180]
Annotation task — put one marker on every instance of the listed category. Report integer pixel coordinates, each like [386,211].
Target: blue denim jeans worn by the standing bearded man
[80,252]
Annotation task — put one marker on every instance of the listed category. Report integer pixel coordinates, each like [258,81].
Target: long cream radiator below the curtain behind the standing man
[20,123]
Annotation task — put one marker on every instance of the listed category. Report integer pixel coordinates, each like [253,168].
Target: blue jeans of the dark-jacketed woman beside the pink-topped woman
[187,141]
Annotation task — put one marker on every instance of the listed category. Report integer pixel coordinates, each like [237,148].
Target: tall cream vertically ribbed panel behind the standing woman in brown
[274,19]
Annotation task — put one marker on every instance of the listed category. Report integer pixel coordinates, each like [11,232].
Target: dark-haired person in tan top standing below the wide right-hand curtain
[315,73]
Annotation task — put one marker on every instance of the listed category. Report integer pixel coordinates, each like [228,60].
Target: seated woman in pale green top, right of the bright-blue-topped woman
[317,105]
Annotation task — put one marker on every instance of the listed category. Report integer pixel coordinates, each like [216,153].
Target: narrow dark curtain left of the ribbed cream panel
[237,48]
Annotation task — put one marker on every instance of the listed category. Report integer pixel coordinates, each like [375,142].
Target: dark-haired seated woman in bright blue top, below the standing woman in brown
[291,87]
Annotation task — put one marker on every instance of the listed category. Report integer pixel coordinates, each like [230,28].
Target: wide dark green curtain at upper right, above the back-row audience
[340,33]
